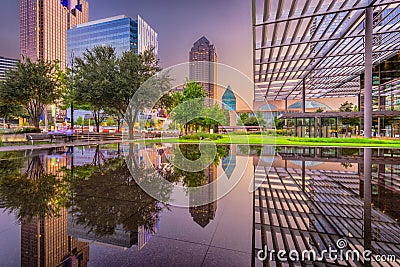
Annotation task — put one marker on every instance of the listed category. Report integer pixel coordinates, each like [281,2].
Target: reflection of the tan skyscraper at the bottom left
[45,242]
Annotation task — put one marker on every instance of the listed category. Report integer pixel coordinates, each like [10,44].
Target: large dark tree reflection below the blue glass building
[107,196]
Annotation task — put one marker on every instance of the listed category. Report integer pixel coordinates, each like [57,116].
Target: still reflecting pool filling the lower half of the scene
[81,206]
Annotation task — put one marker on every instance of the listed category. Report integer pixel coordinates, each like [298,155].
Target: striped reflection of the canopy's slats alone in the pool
[311,209]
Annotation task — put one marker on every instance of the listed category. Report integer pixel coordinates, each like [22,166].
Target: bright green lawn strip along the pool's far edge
[294,141]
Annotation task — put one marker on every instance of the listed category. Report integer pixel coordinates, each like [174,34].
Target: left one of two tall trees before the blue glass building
[95,78]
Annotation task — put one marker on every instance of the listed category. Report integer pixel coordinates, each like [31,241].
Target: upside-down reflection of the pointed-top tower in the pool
[203,214]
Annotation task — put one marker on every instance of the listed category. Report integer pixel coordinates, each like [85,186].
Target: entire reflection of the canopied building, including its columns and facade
[310,207]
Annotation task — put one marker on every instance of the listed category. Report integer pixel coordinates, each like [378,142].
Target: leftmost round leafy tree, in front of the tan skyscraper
[33,85]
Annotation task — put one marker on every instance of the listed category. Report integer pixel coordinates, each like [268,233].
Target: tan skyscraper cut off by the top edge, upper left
[44,25]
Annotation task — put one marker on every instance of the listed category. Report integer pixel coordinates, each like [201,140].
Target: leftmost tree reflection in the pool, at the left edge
[31,192]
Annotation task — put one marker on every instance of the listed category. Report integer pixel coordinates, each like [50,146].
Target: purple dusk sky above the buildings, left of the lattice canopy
[179,23]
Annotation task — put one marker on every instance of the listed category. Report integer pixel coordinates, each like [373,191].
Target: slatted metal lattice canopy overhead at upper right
[319,43]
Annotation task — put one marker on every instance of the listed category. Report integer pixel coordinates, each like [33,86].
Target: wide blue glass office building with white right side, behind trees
[120,32]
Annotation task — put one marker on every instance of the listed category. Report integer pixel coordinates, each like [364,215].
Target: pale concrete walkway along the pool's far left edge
[49,146]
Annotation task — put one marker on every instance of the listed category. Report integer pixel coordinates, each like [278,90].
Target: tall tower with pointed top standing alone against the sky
[202,51]
